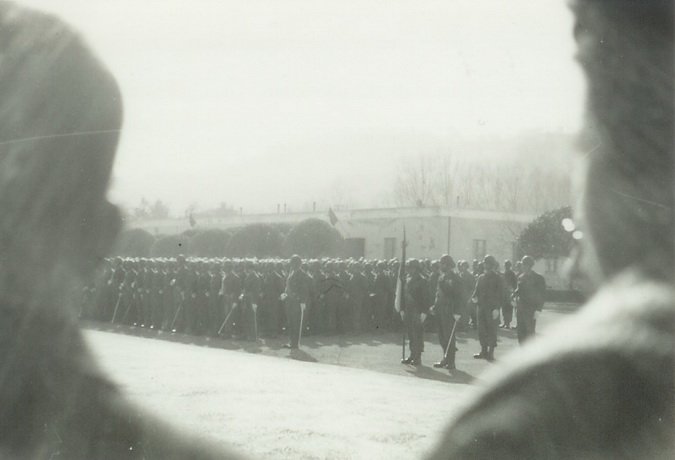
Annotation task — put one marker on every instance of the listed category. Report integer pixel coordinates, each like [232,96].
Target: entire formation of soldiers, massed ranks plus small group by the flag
[249,298]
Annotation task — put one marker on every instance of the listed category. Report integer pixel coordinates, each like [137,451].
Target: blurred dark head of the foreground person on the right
[626,204]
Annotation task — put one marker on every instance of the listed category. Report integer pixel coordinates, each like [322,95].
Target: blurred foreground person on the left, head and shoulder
[60,117]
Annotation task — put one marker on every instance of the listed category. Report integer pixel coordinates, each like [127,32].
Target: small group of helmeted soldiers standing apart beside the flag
[492,296]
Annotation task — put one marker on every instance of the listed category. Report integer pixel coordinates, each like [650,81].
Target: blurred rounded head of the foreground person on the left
[60,115]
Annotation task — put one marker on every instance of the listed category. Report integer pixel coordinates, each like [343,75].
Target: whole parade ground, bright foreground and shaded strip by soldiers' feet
[336,397]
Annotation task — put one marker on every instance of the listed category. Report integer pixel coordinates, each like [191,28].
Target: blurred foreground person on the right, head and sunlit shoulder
[601,385]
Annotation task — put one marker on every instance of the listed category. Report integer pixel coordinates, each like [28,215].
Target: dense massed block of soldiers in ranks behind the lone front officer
[244,297]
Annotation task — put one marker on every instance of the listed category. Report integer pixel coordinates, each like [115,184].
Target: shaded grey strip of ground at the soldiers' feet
[378,351]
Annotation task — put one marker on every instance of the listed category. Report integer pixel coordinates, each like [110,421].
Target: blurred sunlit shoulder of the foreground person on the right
[600,385]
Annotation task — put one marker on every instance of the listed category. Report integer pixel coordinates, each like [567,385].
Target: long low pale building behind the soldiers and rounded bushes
[378,233]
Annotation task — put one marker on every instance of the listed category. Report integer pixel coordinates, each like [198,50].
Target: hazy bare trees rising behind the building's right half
[531,180]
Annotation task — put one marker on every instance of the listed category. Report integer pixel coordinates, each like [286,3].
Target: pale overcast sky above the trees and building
[259,102]
